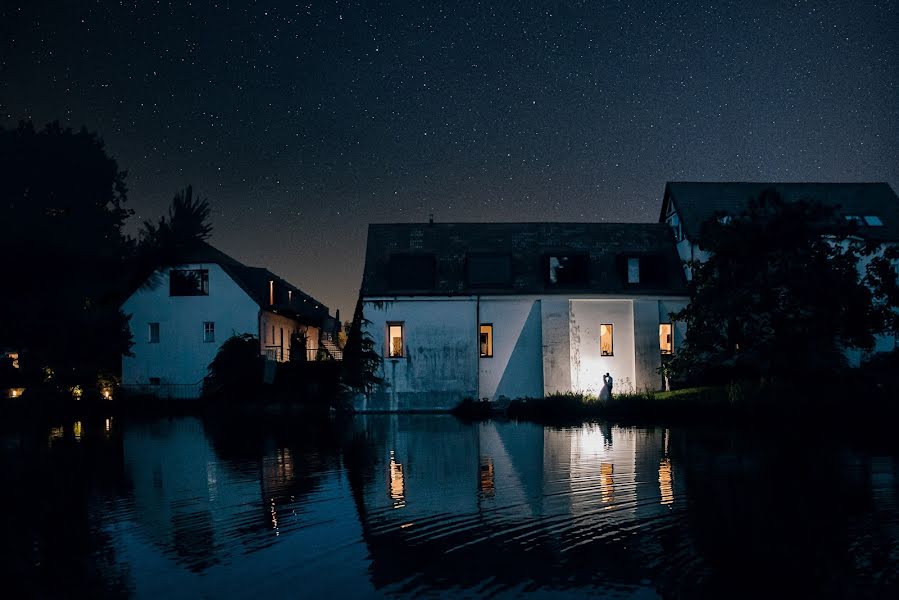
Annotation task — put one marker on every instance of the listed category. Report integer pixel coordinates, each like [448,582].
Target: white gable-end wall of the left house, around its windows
[181,356]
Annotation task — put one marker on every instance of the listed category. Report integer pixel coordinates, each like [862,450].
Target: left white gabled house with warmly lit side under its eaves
[182,314]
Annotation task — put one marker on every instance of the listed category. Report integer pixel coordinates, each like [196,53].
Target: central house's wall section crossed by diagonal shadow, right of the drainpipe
[516,368]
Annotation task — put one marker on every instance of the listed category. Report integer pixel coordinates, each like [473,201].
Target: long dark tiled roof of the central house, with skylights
[519,254]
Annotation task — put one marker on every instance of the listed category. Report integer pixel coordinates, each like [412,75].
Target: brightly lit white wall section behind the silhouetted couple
[587,366]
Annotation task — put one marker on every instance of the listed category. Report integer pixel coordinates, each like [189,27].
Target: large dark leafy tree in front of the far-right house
[782,294]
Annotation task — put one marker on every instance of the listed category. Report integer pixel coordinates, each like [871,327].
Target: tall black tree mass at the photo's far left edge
[62,210]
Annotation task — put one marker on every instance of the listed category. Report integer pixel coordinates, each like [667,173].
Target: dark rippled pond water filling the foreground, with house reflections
[414,506]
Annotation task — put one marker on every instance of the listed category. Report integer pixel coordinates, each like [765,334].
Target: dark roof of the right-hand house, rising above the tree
[696,202]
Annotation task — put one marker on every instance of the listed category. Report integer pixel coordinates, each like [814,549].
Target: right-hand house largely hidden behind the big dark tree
[874,207]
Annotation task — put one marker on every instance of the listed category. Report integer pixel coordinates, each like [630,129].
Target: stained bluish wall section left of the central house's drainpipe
[440,366]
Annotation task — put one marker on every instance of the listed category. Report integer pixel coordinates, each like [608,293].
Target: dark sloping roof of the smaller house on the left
[255,282]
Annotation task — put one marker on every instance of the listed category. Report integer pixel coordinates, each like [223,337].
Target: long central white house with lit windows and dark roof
[492,310]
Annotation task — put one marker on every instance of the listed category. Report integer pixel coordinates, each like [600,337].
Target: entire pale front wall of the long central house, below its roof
[541,345]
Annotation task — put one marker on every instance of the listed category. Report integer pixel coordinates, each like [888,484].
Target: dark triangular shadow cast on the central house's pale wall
[523,375]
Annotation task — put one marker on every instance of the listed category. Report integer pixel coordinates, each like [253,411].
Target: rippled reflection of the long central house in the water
[503,504]
